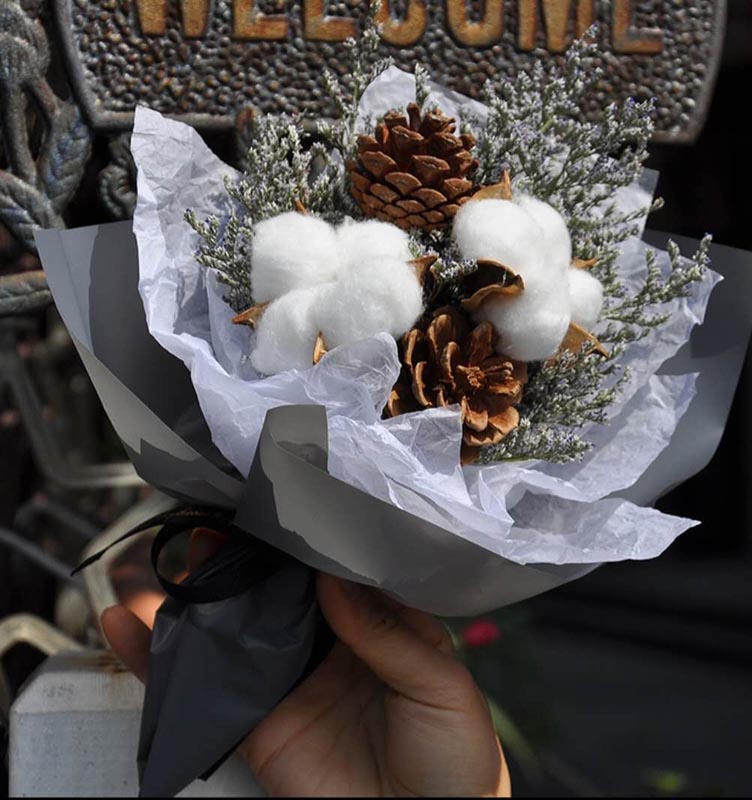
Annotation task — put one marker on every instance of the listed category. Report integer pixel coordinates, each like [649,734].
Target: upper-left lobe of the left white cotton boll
[292,251]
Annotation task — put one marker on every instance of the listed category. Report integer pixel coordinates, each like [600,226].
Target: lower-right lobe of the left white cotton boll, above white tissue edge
[384,295]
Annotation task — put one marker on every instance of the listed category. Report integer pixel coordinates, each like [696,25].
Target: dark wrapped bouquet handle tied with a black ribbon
[247,672]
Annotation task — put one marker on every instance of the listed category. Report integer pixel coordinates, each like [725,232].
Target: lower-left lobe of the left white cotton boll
[286,332]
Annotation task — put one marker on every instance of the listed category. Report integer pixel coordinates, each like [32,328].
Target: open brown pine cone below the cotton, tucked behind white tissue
[449,361]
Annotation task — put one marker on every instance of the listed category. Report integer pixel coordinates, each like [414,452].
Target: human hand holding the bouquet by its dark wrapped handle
[389,712]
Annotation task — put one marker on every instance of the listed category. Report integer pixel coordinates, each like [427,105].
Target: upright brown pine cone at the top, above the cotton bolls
[414,171]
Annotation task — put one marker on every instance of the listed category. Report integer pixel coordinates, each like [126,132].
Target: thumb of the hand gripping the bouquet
[372,628]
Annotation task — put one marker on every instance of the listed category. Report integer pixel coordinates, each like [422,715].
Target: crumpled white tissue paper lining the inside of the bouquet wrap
[531,512]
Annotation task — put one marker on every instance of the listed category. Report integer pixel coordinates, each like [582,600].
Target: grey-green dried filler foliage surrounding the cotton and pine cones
[534,130]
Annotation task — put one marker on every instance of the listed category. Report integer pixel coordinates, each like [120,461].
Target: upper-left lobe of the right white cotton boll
[502,231]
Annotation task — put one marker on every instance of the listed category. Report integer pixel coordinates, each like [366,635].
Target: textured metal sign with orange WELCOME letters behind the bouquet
[205,60]
